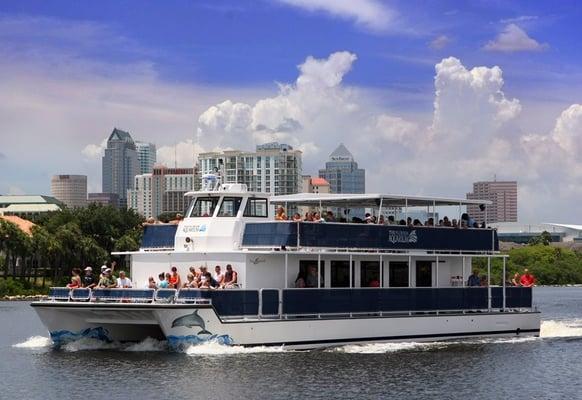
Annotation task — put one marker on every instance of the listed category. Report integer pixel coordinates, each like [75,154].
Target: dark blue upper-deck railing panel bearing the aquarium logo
[368,236]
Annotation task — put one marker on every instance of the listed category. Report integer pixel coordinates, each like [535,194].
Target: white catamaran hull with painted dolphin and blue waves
[184,325]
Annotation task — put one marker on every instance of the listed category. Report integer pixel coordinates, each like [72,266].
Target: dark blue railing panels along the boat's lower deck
[292,302]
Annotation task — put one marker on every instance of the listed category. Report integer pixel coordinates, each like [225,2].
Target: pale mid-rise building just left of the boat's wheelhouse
[161,191]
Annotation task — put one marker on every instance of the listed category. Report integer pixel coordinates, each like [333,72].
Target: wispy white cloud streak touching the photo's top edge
[368,14]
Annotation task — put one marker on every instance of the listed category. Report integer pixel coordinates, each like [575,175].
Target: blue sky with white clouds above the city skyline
[429,96]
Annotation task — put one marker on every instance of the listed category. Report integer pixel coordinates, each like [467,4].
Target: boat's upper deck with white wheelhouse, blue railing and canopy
[229,218]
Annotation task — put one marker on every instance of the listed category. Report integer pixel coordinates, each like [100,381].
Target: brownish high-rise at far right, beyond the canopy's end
[503,194]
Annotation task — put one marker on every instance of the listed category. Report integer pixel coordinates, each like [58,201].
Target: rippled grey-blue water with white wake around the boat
[519,368]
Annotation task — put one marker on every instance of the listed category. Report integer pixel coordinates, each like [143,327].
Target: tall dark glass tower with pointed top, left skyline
[120,165]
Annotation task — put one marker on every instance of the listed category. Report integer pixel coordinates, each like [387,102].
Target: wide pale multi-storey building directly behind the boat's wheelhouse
[272,168]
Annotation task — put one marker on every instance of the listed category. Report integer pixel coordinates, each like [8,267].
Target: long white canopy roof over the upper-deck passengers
[369,200]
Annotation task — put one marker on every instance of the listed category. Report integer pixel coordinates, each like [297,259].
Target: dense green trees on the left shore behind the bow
[63,240]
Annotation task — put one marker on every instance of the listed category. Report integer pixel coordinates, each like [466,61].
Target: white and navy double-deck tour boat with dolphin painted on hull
[368,282]
